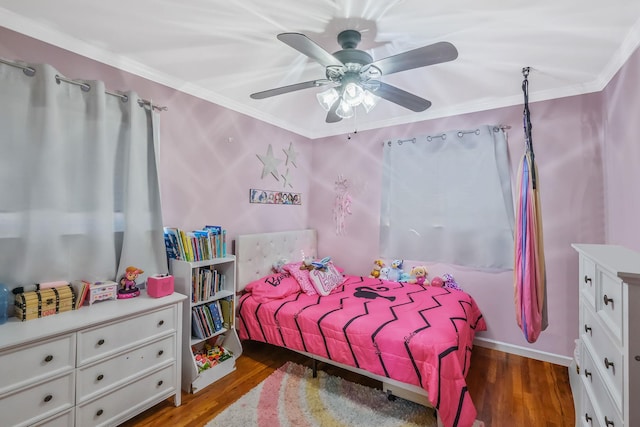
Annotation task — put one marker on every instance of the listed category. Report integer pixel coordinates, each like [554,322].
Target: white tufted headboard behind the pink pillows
[256,253]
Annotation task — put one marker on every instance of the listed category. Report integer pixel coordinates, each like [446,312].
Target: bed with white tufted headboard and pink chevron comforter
[415,339]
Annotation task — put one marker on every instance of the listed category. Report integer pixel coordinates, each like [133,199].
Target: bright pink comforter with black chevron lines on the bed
[410,333]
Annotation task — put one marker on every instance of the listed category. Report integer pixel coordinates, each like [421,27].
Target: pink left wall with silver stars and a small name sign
[205,179]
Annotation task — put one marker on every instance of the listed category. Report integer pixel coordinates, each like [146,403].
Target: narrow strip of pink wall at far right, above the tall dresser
[622,154]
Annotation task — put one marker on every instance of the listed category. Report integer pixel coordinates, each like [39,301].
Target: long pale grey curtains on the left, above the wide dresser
[79,197]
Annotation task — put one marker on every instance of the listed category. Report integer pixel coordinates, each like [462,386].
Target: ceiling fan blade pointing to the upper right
[421,57]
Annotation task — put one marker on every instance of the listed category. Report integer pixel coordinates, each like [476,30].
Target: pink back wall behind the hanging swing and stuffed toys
[567,139]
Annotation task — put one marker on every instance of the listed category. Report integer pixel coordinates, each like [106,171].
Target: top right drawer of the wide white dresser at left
[98,343]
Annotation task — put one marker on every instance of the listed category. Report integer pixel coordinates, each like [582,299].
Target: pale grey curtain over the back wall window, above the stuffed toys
[447,199]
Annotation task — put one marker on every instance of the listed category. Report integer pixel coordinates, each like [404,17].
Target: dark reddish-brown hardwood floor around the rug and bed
[508,390]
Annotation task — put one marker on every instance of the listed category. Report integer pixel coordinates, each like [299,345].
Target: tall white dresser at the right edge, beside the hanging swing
[609,337]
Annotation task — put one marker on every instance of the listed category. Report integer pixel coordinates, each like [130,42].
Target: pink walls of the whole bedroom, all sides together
[205,179]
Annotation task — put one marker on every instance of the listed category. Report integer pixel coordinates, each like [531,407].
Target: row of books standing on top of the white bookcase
[208,243]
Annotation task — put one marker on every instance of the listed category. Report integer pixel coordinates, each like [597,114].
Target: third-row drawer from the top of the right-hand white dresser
[602,402]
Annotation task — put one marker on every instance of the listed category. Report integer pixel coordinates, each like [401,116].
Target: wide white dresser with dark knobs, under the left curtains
[97,366]
